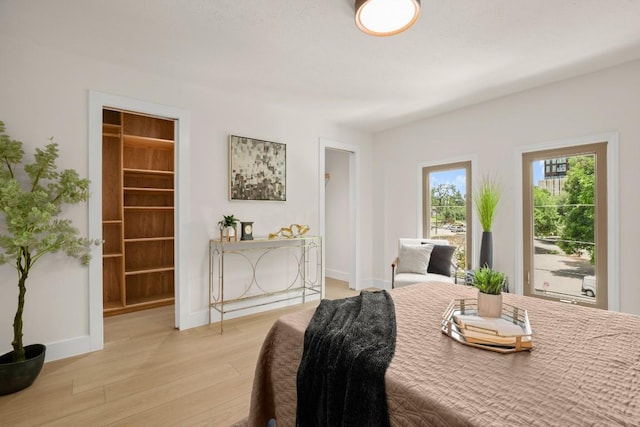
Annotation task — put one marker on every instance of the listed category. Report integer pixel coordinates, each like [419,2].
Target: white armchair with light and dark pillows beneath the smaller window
[423,260]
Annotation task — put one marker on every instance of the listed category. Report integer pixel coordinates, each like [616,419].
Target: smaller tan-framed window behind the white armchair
[447,207]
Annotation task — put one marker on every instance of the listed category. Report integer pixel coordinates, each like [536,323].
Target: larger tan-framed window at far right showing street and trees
[565,225]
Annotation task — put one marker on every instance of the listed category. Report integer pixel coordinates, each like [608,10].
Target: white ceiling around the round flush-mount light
[308,54]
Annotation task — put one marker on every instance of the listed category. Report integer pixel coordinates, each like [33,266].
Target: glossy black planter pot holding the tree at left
[16,376]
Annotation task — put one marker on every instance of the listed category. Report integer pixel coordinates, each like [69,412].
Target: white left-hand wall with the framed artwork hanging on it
[44,92]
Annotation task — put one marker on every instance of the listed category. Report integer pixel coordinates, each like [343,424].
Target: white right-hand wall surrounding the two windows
[606,101]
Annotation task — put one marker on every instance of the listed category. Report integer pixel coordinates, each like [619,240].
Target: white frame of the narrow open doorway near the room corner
[354,232]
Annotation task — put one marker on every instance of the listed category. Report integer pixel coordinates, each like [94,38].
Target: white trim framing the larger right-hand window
[611,138]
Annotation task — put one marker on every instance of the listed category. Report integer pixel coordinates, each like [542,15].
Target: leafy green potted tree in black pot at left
[31,200]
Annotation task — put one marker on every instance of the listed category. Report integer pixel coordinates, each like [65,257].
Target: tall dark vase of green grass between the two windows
[486,200]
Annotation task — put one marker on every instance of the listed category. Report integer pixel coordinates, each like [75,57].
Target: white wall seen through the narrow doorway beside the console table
[337,236]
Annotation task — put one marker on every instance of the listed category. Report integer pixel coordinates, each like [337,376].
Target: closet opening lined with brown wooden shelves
[137,211]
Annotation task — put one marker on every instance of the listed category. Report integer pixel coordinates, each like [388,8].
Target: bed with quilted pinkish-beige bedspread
[583,370]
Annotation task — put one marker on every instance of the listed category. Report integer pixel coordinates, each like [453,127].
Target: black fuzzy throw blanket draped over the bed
[348,346]
